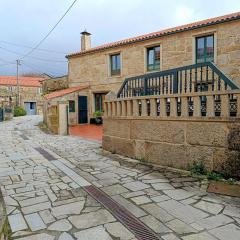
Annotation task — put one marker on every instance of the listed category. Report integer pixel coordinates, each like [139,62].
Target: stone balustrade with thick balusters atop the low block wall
[209,104]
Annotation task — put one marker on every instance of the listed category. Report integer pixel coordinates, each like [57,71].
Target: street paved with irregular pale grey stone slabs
[48,184]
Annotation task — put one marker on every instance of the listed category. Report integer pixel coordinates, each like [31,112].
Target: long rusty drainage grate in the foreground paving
[140,230]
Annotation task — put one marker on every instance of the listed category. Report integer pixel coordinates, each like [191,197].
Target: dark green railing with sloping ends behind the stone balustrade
[201,77]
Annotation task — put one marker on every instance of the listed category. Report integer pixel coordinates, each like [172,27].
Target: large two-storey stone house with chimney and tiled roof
[103,69]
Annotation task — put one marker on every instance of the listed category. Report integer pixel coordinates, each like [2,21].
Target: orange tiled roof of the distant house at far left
[23,81]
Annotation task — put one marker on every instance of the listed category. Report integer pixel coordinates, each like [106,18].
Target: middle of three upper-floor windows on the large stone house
[153,58]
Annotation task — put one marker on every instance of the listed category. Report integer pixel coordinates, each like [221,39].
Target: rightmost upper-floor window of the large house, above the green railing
[205,49]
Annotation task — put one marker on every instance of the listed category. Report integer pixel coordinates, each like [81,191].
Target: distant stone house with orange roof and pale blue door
[30,91]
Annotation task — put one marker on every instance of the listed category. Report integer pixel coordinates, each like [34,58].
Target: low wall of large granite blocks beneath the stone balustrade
[176,142]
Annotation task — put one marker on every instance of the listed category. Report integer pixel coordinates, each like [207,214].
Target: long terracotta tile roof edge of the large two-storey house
[210,21]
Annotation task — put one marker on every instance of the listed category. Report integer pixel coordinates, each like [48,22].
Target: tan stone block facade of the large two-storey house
[177,50]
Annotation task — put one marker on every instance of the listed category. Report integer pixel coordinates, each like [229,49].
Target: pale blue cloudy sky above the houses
[26,22]
